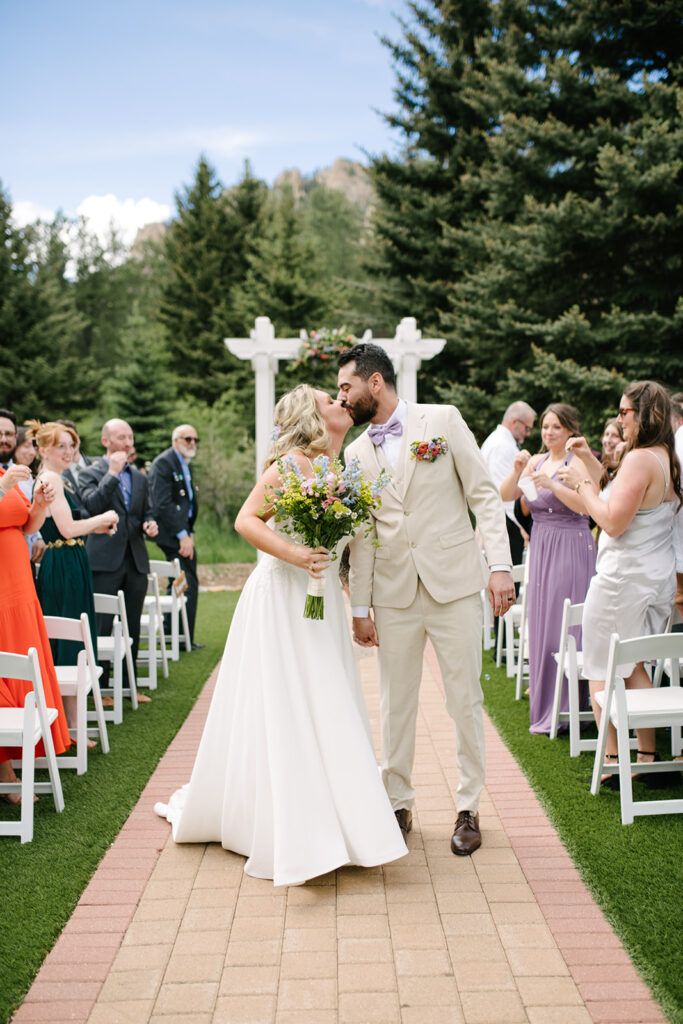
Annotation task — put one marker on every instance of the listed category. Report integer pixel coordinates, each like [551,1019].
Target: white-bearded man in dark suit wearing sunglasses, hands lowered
[175,503]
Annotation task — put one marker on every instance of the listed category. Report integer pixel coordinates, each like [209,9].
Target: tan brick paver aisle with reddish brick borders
[181,935]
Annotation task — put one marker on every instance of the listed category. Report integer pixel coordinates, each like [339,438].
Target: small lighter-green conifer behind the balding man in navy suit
[143,391]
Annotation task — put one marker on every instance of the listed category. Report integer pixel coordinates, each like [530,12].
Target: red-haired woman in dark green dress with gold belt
[65,582]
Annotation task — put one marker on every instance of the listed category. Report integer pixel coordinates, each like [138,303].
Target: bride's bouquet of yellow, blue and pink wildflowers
[321,509]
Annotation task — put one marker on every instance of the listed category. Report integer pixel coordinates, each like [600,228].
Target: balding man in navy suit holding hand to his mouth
[120,561]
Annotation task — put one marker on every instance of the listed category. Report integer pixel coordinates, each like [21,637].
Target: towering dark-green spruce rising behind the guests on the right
[567,238]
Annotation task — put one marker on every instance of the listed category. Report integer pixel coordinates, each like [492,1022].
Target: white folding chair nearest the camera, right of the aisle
[644,709]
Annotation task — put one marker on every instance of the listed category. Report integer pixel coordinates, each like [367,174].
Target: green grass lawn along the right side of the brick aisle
[634,872]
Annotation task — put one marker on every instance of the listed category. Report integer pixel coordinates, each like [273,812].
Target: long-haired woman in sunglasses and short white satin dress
[633,591]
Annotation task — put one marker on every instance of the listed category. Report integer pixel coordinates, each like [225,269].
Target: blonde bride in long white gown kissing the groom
[286,774]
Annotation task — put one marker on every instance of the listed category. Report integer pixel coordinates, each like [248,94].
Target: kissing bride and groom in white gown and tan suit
[286,773]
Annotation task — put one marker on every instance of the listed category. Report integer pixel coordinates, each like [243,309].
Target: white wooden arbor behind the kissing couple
[407,351]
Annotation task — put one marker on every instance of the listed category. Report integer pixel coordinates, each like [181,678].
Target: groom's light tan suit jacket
[423,526]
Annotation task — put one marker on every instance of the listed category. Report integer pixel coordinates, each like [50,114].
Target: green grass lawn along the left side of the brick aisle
[44,880]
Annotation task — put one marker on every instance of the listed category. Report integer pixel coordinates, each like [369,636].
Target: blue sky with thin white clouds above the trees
[105,99]
